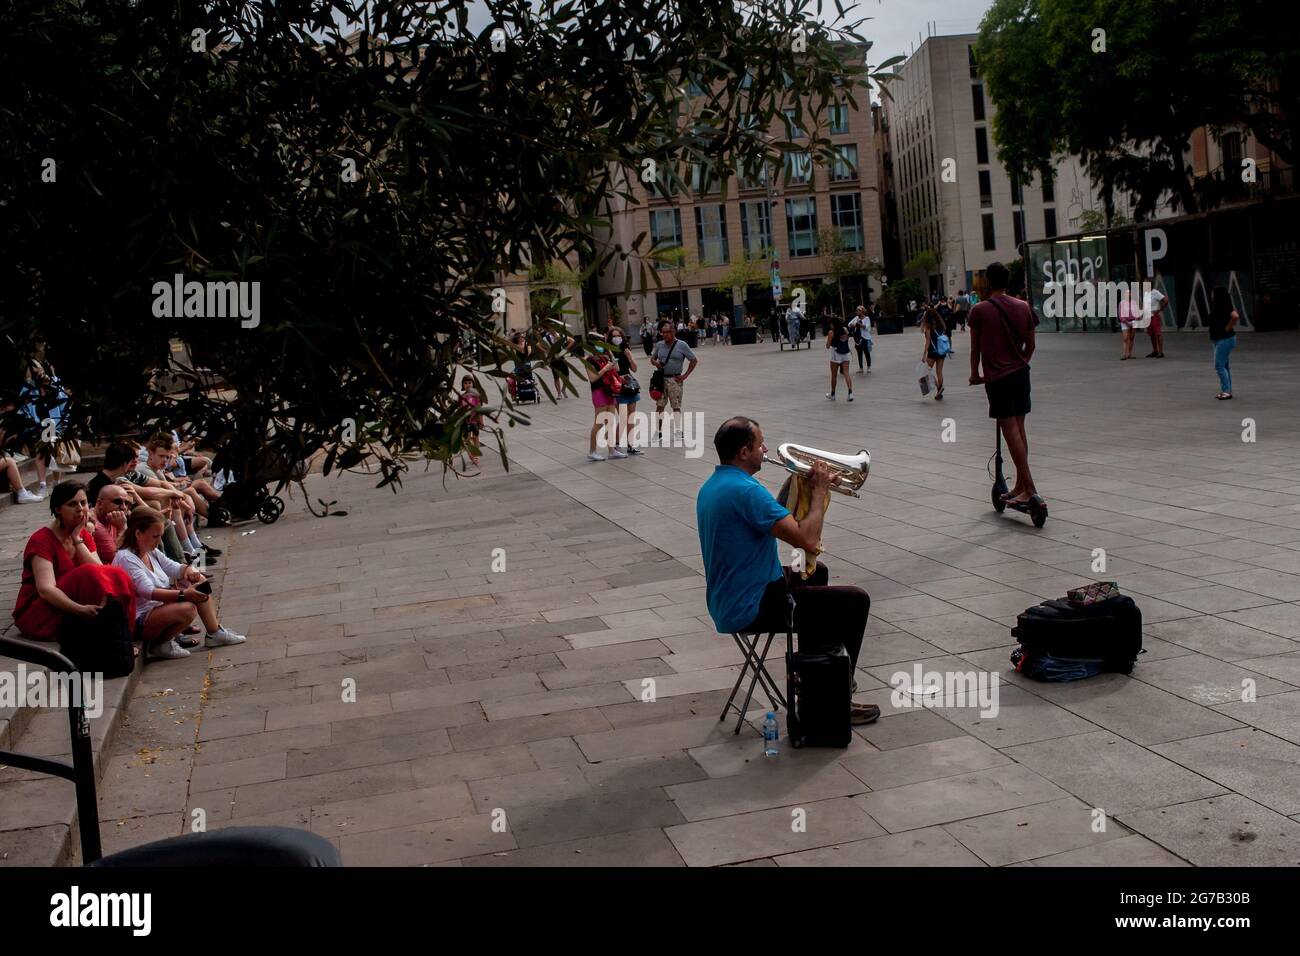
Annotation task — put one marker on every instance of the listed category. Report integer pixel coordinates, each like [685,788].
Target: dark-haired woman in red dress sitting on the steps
[62,573]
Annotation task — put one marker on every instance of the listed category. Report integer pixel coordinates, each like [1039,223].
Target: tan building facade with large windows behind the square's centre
[761,217]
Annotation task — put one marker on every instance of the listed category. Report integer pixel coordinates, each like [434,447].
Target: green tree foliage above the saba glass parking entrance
[1129,110]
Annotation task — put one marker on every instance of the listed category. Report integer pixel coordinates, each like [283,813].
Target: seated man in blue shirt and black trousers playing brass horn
[747,587]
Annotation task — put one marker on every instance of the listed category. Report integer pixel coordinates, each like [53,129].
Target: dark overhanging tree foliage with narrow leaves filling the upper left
[215,141]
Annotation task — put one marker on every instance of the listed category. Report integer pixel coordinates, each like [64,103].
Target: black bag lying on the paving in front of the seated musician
[1108,631]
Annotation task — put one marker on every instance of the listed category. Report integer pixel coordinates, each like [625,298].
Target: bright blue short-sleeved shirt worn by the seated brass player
[735,516]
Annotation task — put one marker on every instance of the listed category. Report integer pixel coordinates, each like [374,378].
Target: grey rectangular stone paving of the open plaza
[499,717]
